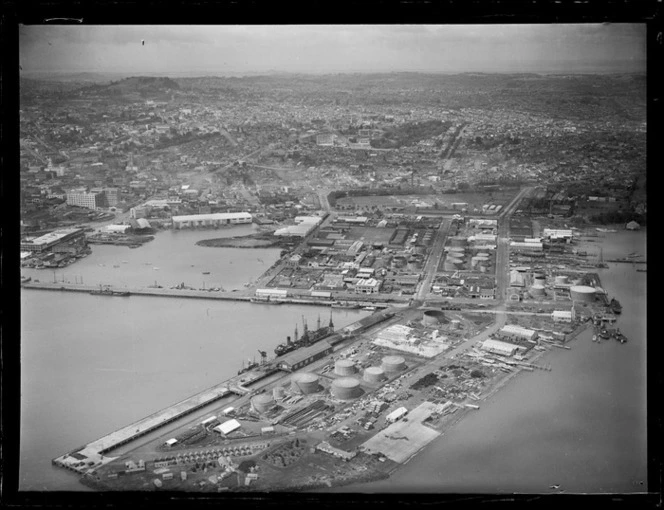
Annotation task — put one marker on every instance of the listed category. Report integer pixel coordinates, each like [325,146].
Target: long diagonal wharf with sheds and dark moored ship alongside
[85,459]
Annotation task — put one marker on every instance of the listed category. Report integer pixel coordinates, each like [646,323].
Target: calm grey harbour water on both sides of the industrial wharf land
[93,364]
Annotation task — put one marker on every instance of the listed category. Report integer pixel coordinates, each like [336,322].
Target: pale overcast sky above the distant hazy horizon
[333,48]
